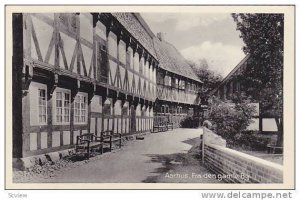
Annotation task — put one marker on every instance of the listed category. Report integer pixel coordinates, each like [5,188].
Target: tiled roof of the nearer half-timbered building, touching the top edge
[137,27]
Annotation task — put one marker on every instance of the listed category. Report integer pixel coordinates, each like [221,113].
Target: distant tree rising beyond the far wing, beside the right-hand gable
[210,78]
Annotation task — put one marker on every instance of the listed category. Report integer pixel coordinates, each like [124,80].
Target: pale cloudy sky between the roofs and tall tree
[201,35]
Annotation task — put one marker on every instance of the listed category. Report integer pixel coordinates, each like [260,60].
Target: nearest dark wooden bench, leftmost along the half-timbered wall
[87,142]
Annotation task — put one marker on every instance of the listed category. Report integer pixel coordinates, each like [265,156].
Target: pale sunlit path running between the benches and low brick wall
[133,163]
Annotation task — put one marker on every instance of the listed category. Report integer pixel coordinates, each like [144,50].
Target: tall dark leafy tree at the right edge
[263,38]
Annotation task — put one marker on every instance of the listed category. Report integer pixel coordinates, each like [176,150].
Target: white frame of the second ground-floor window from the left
[54,119]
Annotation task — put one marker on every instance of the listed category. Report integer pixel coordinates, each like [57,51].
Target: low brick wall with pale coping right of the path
[236,167]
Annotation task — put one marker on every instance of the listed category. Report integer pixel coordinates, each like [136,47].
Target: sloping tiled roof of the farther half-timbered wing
[171,60]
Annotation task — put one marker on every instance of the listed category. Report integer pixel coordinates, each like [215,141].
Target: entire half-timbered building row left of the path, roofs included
[77,73]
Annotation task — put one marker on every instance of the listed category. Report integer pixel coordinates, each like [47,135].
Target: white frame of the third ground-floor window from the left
[81,96]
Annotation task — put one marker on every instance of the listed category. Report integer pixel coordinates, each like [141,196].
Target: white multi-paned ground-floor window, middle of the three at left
[62,107]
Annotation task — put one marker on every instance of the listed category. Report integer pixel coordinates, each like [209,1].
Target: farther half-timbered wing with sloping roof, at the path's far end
[177,85]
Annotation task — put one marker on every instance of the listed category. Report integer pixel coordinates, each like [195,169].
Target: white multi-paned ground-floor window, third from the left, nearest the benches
[80,109]
